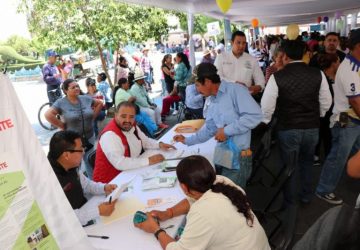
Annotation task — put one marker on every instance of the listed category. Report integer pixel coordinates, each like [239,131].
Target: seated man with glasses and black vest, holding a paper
[65,155]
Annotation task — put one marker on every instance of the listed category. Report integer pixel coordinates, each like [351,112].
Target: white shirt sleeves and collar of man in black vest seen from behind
[271,93]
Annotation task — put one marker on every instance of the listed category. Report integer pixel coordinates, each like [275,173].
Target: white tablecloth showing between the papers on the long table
[123,235]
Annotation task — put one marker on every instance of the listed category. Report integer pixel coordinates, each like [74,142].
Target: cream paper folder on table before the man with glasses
[125,206]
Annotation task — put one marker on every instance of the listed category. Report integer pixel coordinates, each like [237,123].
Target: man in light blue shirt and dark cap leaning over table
[231,115]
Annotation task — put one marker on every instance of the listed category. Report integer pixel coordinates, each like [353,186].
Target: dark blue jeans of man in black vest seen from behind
[303,143]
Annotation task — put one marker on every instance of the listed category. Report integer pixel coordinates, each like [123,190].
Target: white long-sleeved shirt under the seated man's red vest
[114,150]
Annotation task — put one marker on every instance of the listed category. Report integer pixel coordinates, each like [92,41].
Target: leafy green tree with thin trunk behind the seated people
[85,24]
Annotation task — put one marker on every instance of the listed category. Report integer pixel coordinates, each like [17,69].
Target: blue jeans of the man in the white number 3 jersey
[343,141]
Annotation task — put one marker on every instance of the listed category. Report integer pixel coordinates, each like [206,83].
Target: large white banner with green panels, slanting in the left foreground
[34,211]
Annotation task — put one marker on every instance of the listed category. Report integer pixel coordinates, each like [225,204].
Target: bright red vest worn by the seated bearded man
[104,171]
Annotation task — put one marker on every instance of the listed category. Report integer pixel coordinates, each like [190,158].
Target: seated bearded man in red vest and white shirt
[120,145]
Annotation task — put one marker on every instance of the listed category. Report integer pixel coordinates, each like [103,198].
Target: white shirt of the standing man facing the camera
[244,69]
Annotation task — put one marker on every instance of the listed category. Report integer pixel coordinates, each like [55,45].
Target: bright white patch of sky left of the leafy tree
[11,22]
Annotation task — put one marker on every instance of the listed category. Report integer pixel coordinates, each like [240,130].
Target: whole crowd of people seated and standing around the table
[309,85]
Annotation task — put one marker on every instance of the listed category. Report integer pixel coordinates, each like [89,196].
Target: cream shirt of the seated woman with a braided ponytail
[214,223]
